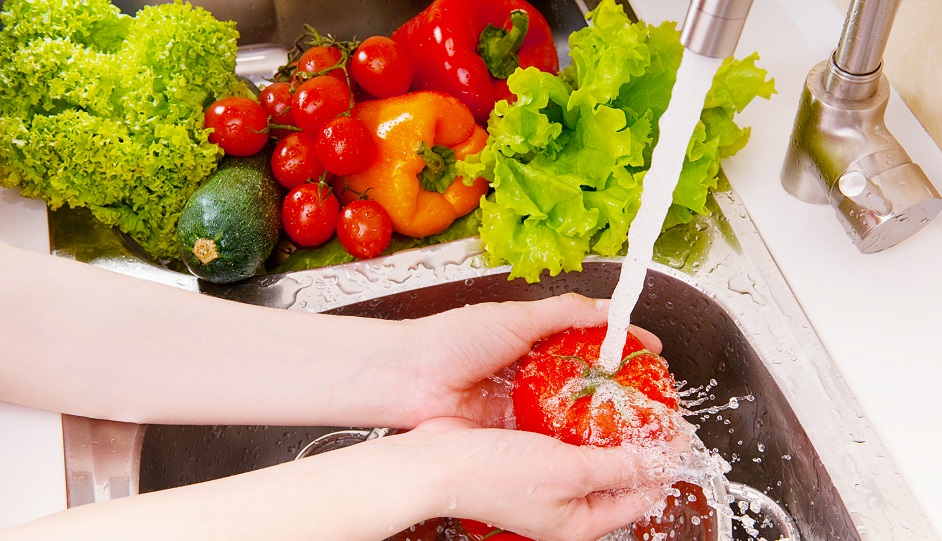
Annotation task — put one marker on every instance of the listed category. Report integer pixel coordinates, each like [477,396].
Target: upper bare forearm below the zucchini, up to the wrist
[95,343]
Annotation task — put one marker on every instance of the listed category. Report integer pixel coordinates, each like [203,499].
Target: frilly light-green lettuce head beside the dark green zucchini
[103,110]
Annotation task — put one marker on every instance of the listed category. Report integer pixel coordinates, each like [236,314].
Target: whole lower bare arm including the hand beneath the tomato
[372,490]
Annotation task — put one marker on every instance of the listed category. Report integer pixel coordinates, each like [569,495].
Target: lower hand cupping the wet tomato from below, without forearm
[535,485]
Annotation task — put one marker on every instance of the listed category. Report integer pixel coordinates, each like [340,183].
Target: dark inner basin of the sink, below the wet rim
[769,449]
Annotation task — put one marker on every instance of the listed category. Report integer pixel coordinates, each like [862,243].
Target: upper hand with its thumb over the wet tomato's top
[458,358]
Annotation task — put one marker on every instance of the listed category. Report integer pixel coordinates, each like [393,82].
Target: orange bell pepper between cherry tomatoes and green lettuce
[419,137]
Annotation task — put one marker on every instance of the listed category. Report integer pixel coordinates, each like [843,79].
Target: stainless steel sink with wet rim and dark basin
[797,443]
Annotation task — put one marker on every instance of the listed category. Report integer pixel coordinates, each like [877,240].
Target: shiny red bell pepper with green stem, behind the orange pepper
[468,48]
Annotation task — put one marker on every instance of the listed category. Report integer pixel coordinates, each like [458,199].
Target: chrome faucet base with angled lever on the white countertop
[841,151]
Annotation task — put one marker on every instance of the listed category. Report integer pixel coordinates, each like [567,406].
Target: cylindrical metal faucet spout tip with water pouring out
[712,27]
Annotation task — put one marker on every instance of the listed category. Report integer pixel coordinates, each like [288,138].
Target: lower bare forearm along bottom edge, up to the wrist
[365,492]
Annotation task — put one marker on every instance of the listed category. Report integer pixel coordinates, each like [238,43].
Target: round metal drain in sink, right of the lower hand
[758,517]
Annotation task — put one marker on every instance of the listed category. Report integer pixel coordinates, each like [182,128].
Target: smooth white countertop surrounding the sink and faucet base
[878,315]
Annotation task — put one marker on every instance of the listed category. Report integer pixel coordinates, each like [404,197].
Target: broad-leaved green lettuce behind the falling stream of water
[567,159]
